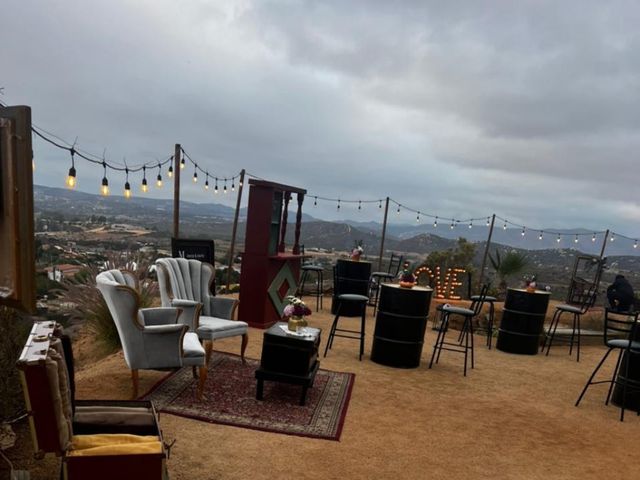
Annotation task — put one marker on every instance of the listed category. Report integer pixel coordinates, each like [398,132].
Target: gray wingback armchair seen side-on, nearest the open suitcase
[152,338]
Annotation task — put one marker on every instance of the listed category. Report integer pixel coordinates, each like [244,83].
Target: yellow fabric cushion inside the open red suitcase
[114,444]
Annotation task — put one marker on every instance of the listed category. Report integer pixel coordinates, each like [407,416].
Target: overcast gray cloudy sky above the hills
[530,110]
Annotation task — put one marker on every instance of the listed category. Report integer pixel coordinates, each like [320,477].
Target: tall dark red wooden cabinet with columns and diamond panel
[270,271]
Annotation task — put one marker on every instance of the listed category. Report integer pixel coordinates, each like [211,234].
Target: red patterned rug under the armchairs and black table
[230,399]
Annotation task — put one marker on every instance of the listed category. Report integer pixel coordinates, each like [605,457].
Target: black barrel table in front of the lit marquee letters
[400,325]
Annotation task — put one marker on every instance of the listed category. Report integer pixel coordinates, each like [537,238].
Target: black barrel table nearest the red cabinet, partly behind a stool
[350,277]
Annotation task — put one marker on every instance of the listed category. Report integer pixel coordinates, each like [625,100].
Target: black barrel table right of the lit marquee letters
[522,321]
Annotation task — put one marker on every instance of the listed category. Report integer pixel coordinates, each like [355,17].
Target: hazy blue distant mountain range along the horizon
[211,219]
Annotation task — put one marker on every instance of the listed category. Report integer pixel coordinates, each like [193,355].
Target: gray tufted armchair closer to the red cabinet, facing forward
[186,284]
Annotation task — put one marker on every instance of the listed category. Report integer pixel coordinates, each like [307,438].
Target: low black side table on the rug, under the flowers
[288,358]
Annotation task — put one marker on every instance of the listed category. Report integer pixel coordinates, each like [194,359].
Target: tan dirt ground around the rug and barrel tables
[512,417]
